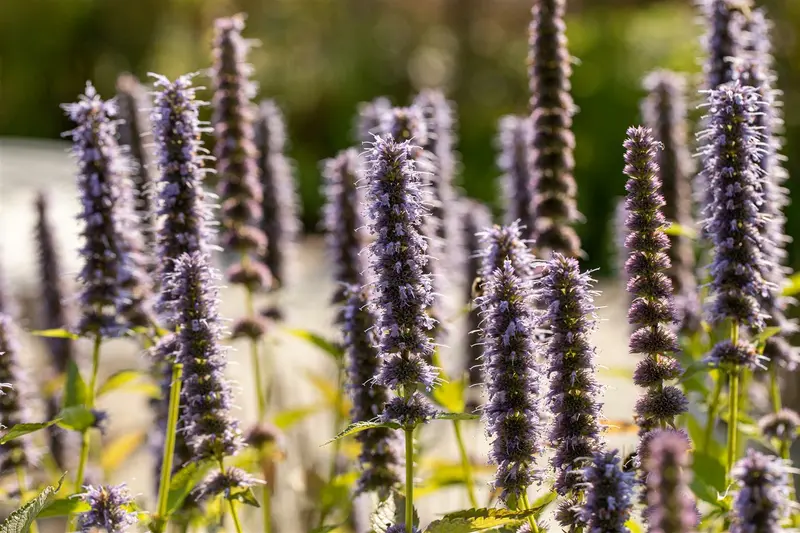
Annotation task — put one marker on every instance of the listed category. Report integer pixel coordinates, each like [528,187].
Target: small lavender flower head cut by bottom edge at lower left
[110,509]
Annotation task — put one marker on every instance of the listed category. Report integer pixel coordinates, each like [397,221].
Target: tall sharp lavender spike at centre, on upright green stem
[402,292]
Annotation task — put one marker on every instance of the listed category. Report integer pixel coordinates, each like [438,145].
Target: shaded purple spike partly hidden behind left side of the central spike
[380,457]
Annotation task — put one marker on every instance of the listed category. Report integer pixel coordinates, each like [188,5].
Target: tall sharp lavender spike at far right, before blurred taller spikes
[734,222]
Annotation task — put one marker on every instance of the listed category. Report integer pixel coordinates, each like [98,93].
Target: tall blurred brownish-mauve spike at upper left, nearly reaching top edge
[239,187]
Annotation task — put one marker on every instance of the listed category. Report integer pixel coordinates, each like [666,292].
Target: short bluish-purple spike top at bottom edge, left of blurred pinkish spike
[609,494]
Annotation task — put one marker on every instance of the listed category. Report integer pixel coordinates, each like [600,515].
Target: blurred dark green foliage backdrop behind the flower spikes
[319,58]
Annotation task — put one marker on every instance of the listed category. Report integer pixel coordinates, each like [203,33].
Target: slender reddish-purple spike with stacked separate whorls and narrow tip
[652,311]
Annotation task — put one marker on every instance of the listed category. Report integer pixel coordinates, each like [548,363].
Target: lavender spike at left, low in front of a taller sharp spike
[209,428]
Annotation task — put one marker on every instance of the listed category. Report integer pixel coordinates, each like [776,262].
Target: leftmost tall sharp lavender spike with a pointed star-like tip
[109,270]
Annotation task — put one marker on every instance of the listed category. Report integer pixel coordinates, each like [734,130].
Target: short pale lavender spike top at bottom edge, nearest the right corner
[762,501]
